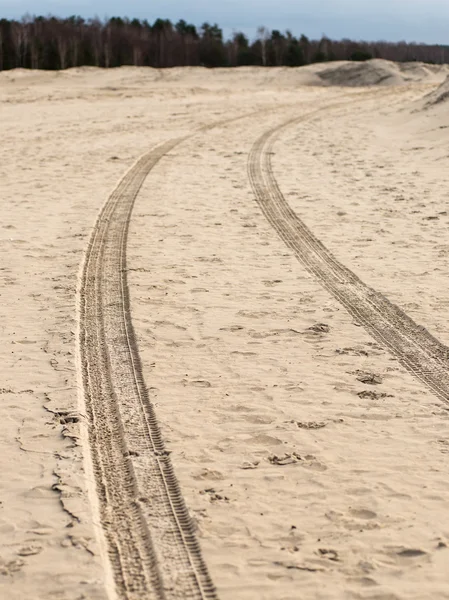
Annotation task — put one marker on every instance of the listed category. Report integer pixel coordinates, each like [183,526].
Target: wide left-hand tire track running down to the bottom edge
[150,538]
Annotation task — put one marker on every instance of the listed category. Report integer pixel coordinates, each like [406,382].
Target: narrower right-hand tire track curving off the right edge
[416,349]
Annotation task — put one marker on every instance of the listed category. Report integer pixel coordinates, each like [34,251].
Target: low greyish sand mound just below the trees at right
[377,72]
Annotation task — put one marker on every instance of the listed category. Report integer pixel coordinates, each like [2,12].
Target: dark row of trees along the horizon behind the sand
[53,43]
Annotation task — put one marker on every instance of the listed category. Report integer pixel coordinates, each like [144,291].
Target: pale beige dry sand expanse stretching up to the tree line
[224,316]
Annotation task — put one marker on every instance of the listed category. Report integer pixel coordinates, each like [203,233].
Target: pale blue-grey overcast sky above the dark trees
[412,20]
